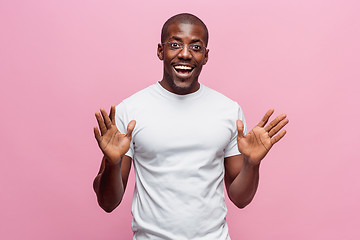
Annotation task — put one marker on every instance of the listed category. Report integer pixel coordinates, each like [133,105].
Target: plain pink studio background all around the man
[60,61]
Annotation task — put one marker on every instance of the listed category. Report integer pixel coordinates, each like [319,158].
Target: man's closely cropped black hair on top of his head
[183,18]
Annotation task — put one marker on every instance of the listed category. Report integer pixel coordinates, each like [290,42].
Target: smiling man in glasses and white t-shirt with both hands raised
[186,142]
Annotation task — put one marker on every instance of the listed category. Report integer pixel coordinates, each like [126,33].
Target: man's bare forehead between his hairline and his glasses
[186,31]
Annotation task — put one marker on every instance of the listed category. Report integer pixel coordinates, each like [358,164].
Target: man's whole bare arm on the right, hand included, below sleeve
[242,171]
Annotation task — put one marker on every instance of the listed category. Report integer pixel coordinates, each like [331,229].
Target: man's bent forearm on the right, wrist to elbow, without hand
[243,188]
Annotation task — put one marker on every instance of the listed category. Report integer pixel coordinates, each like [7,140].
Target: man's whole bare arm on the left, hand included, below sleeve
[110,183]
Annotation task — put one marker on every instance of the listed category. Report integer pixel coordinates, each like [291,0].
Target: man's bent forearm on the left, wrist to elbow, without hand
[108,186]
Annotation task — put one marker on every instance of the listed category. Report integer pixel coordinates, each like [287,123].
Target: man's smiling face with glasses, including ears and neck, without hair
[182,66]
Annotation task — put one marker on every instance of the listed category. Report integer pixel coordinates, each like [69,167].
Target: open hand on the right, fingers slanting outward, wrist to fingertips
[257,143]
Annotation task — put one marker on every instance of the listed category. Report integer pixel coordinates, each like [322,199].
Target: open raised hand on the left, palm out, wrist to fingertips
[112,143]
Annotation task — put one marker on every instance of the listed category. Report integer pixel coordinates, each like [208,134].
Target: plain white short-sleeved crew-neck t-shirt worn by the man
[178,149]
